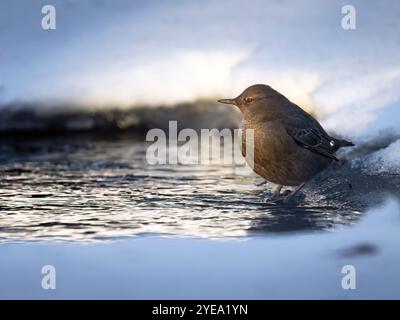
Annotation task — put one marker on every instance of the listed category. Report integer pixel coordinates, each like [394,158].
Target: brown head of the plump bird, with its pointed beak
[254,97]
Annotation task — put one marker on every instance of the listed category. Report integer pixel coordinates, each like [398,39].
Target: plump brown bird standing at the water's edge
[290,145]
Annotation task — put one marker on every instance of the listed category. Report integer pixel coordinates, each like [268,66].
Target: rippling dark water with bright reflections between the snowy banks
[103,188]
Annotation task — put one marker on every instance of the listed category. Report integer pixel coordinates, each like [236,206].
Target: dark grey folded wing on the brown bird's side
[308,133]
